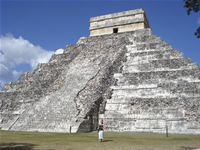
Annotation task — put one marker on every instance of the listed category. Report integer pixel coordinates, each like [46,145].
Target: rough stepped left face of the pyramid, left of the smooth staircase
[16,97]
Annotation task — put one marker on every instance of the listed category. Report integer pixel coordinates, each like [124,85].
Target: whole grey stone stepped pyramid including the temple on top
[122,73]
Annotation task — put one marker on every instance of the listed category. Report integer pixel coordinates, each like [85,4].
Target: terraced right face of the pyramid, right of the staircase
[158,86]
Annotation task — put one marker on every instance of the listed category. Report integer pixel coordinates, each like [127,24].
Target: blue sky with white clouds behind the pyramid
[31,31]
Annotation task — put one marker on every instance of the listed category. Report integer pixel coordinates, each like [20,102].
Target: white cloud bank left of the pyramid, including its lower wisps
[14,52]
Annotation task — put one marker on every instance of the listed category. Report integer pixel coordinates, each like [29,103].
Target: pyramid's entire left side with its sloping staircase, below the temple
[70,87]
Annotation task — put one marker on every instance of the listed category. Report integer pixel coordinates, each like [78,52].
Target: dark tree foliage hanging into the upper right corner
[193,5]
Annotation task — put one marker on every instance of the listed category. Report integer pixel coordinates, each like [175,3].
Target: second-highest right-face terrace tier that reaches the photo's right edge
[189,89]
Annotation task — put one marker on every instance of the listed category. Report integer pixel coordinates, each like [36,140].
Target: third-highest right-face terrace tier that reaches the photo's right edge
[191,103]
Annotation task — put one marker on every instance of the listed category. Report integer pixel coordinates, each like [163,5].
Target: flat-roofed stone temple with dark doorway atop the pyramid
[119,22]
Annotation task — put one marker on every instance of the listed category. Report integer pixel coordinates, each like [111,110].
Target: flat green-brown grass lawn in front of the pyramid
[12,140]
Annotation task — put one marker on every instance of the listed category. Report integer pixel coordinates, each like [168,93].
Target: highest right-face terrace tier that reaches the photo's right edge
[156,76]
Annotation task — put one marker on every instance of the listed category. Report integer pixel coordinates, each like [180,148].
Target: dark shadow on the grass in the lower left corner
[16,146]
